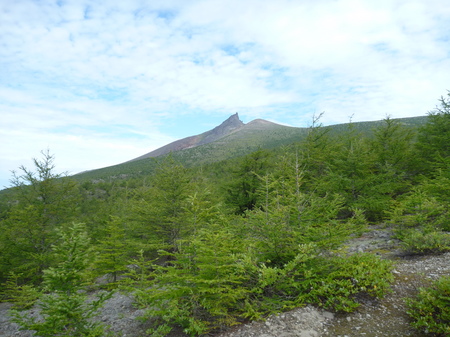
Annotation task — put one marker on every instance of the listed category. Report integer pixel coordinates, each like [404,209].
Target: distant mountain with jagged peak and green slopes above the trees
[231,139]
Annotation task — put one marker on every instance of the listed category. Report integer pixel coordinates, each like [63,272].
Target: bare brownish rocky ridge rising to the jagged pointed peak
[232,124]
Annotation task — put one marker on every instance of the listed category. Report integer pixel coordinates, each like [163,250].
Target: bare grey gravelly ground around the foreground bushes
[374,318]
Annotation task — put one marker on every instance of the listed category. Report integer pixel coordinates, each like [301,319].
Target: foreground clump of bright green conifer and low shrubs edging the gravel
[212,282]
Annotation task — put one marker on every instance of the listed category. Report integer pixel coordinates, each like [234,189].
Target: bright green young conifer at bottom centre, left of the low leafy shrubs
[201,287]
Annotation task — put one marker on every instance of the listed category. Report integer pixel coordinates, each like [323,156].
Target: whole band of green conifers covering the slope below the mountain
[210,246]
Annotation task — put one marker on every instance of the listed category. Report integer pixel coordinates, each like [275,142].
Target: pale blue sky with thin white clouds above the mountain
[100,82]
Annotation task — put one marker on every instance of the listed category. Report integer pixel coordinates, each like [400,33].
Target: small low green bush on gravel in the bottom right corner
[430,309]
